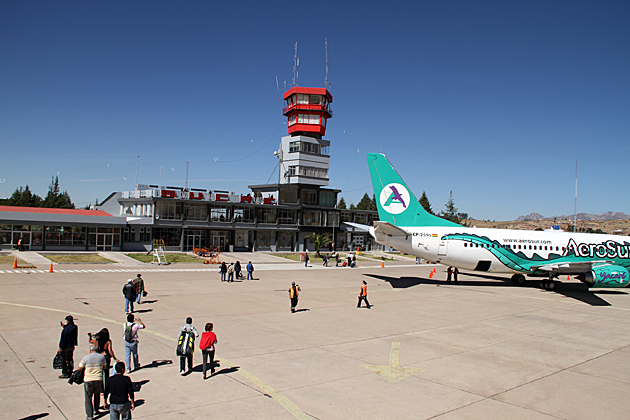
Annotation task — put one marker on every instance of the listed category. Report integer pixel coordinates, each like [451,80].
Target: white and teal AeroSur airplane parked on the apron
[596,260]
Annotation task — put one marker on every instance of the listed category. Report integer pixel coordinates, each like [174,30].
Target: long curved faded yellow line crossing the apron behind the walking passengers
[266,388]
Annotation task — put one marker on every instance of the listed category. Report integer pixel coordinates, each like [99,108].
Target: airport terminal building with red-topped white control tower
[271,217]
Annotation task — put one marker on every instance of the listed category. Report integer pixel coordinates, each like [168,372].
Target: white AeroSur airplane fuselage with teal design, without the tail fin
[506,250]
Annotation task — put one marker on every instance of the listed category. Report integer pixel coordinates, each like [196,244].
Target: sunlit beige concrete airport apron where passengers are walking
[480,349]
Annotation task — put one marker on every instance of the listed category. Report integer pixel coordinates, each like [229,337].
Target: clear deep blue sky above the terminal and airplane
[493,100]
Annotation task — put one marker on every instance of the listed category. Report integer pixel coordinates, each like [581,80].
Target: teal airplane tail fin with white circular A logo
[395,202]
